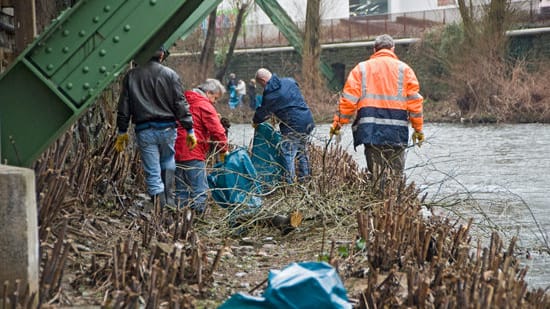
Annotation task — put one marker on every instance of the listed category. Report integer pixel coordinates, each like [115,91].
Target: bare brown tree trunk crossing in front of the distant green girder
[311,56]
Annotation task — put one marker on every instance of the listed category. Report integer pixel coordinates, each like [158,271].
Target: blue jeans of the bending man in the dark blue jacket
[294,149]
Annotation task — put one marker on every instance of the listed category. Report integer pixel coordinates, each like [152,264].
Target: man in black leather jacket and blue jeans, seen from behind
[152,98]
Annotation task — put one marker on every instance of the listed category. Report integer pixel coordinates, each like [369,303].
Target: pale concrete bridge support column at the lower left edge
[19,257]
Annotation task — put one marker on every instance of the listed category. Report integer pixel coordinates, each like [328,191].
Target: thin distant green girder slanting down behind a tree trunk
[292,33]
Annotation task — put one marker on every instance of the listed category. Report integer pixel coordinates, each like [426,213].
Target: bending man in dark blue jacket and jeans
[282,97]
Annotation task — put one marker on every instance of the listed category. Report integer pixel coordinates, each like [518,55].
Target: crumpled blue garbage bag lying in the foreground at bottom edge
[299,285]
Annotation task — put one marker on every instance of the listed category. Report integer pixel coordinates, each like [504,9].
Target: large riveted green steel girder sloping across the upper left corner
[64,70]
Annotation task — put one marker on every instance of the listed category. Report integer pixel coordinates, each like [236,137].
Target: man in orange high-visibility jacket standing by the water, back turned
[382,94]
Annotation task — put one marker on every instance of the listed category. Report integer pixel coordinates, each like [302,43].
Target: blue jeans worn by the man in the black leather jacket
[156,147]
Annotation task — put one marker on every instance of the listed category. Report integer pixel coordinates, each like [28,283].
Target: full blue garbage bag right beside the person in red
[234,183]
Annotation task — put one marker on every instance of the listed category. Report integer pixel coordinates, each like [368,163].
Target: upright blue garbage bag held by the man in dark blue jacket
[266,155]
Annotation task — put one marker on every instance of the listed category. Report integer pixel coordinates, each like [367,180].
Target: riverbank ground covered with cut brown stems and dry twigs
[387,252]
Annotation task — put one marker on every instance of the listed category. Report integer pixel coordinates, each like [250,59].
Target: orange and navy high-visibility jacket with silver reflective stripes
[382,94]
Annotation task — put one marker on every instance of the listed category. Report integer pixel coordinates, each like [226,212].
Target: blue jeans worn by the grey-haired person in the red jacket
[191,184]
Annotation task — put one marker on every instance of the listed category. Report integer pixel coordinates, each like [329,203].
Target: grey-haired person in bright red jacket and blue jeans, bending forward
[191,182]
